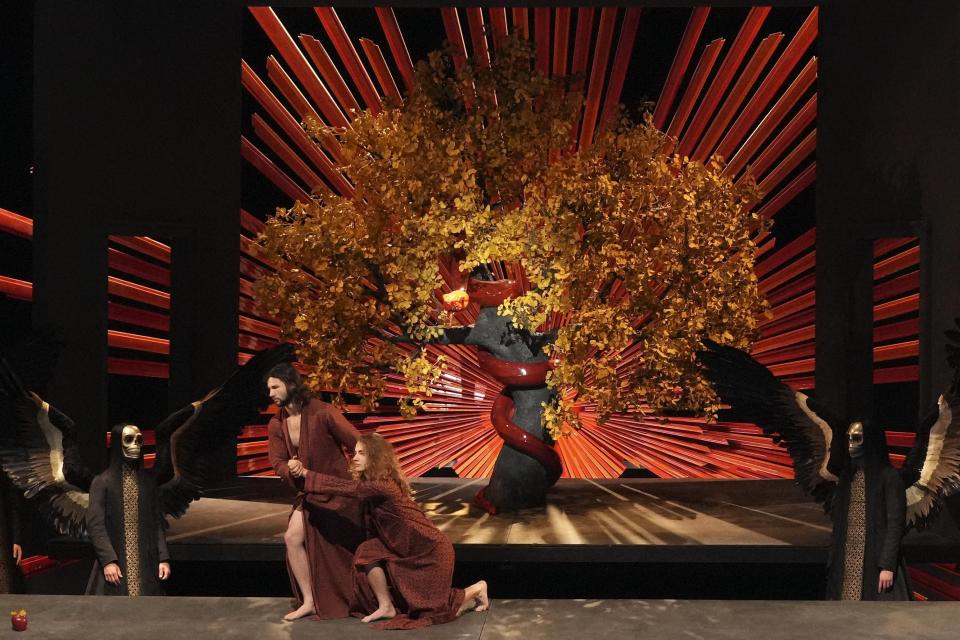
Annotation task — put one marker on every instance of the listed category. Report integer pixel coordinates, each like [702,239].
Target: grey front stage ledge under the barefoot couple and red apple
[93,618]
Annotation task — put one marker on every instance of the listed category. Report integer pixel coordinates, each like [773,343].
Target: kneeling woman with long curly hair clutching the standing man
[404,570]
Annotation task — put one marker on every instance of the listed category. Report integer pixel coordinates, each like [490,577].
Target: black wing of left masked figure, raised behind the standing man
[189,440]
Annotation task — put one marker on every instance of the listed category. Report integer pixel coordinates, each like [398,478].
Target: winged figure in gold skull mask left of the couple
[123,509]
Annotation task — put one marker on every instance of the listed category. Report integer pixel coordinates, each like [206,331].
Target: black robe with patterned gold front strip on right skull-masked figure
[872,532]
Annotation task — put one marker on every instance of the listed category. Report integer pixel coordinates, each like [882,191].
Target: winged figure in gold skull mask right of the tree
[845,466]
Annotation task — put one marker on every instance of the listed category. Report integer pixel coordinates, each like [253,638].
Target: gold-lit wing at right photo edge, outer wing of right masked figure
[934,461]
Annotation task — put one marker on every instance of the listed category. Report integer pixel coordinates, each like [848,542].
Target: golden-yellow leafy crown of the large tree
[629,242]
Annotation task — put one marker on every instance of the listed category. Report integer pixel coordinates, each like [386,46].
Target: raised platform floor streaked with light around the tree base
[627,520]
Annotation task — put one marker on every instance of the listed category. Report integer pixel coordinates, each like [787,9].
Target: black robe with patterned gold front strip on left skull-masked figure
[110,519]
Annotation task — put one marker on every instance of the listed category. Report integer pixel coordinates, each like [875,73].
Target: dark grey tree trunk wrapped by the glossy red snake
[519,480]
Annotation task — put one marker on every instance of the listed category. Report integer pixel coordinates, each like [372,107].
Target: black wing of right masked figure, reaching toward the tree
[791,418]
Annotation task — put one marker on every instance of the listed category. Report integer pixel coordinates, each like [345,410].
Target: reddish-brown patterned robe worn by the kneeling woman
[417,558]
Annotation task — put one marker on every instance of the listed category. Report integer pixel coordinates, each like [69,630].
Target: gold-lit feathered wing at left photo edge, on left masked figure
[38,451]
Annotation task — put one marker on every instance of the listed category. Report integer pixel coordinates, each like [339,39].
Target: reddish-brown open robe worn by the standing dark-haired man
[332,527]
